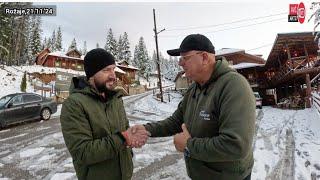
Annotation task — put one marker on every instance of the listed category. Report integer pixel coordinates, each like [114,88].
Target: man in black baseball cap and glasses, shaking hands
[214,123]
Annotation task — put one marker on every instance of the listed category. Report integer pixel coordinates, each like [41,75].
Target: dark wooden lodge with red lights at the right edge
[291,68]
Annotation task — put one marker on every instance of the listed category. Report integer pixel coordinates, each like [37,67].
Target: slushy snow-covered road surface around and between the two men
[286,146]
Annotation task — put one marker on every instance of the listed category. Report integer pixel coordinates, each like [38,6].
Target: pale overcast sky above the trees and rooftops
[88,21]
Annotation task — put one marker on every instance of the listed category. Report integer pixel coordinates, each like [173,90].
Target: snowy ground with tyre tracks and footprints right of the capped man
[287,142]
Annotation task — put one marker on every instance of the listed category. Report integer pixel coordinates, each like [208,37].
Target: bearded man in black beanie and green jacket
[94,123]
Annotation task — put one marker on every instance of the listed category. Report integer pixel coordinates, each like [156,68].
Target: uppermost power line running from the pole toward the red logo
[222,24]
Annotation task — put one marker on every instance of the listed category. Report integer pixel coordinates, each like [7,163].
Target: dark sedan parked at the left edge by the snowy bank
[19,107]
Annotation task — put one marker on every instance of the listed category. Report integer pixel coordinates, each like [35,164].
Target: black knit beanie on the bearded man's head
[95,60]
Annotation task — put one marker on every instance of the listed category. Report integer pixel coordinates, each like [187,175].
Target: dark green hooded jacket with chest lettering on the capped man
[220,117]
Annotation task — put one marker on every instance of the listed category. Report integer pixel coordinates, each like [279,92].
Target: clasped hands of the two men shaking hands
[136,136]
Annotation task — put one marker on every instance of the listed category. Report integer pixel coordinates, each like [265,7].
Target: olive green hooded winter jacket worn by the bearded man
[90,127]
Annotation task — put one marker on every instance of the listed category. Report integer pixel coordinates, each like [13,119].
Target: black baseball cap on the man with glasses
[196,42]
